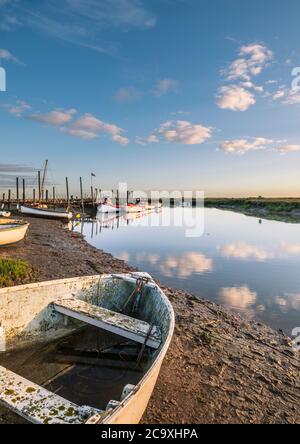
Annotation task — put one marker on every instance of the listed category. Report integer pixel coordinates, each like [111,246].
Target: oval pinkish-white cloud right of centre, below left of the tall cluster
[182,131]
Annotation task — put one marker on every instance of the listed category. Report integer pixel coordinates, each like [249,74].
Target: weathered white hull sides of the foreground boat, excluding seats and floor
[36,324]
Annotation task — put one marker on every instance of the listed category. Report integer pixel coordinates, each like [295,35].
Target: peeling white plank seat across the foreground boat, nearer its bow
[120,324]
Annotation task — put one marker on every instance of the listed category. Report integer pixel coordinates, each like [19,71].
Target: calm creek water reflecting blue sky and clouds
[249,265]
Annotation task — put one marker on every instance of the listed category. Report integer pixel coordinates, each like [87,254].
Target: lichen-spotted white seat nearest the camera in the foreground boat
[36,404]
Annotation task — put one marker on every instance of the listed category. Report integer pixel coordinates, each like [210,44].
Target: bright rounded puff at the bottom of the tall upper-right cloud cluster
[235,98]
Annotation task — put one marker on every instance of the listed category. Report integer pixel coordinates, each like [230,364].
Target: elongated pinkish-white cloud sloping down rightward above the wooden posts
[89,126]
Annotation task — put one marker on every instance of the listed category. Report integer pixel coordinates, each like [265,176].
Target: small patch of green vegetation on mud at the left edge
[13,272]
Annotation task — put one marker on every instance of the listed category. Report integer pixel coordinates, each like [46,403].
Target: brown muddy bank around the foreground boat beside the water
[220,368]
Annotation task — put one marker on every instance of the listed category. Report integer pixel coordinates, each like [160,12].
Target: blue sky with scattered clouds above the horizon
[160,94]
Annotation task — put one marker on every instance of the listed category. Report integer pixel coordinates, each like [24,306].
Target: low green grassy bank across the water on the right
[284,210]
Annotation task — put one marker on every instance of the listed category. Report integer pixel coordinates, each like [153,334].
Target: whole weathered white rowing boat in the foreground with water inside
[131,318]
